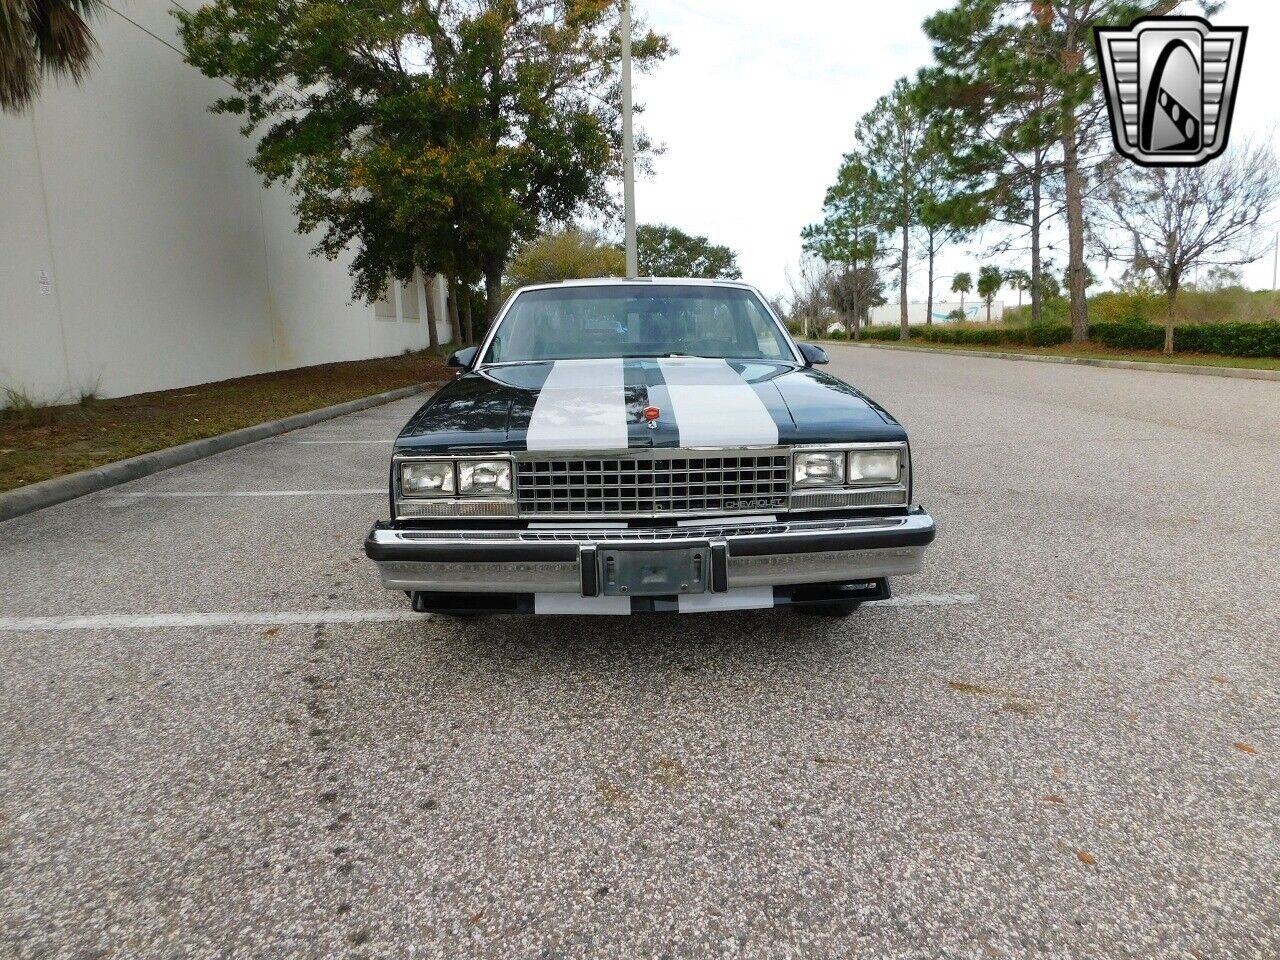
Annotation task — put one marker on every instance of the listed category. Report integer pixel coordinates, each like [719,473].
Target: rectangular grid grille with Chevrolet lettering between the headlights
[655,484]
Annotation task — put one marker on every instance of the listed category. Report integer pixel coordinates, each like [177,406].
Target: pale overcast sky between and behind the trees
[760,104]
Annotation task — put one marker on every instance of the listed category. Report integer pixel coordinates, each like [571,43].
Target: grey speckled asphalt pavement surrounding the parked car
[1060,740]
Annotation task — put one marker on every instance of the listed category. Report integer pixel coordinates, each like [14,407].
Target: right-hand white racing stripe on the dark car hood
[714,406]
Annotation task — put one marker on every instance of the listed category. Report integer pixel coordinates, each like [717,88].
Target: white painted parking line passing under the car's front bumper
[268,619]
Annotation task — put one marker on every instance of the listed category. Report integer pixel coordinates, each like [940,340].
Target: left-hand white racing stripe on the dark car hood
[580,408]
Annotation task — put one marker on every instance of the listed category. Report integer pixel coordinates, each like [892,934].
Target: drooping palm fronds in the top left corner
[40,39]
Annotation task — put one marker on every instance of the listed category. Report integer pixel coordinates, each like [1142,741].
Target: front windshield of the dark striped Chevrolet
[638,321]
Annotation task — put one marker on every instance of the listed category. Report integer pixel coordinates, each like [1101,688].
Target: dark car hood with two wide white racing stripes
[589,405]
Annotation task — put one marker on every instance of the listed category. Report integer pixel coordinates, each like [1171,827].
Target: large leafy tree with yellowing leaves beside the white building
[432,135]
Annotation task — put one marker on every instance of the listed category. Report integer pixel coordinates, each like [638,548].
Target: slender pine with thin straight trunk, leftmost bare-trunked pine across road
[893,139]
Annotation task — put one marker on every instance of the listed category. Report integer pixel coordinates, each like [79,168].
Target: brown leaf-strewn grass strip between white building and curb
[42,442]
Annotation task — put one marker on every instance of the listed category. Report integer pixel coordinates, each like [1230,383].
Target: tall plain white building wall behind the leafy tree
[140,253]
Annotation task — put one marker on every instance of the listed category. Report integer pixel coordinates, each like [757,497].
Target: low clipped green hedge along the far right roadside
[1233,340]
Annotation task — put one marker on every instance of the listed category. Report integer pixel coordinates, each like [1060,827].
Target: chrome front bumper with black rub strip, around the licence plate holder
[563,560]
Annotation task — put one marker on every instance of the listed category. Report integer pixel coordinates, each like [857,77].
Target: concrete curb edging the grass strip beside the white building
[60,490]
